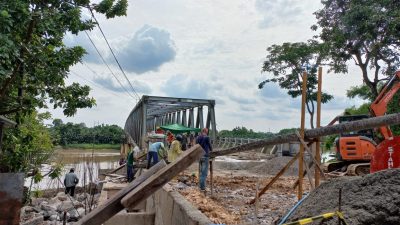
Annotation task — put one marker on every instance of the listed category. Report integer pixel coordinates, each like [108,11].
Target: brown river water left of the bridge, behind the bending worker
[86,163]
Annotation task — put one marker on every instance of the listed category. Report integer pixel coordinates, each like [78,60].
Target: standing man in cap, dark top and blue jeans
[205,143]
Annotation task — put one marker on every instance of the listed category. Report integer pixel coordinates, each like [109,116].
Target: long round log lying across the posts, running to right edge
[364,124]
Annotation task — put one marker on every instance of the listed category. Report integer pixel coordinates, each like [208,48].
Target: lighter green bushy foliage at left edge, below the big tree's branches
[26,147]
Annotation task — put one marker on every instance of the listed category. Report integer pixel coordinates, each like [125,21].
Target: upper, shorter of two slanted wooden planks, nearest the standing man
[156,181]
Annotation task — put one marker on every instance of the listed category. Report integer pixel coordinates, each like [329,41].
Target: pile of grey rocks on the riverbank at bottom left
[52,210]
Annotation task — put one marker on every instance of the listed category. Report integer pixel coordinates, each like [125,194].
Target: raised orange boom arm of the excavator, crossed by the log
[379,106]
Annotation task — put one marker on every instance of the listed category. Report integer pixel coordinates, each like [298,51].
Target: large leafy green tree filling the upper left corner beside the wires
[34,62]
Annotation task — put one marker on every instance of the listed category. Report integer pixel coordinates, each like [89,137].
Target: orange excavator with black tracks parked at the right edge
[357,153]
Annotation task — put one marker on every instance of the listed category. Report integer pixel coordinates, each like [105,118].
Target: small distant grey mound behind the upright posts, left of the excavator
[274,165]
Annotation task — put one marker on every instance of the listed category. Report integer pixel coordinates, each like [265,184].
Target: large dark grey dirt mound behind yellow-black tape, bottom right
[372,199]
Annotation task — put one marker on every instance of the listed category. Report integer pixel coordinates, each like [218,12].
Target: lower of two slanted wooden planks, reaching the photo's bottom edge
[103,212]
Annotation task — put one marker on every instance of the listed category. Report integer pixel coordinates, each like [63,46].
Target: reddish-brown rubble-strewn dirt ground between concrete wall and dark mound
[234,186]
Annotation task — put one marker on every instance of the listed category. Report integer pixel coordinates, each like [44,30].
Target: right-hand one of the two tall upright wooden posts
[317,147]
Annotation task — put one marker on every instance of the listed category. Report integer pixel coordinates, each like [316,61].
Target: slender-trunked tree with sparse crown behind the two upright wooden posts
[286,63]
